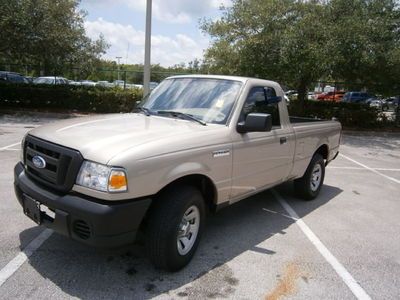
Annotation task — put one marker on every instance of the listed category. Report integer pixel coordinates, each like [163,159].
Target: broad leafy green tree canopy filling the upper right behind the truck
[301,42]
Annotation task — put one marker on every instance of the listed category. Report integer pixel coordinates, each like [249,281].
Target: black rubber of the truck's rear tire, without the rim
[303,186]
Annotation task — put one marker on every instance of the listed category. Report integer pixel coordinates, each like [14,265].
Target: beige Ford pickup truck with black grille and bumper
[196,144]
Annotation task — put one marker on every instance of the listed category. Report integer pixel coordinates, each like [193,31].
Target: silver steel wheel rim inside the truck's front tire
[188,230]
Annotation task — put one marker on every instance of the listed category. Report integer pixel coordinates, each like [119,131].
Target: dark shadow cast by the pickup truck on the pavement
[88,273]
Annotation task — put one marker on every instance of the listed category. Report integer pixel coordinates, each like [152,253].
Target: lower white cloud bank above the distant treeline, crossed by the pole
[166,50]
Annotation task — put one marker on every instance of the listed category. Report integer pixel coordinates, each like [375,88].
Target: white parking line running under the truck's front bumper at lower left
[19,260]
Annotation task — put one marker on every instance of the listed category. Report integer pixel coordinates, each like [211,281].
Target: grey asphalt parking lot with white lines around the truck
[343,245]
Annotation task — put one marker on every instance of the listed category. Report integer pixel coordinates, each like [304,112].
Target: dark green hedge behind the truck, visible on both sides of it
[105,100]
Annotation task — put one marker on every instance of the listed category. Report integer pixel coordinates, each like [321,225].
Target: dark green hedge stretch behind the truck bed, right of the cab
[350,115]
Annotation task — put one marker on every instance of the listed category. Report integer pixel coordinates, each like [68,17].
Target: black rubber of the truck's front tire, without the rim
[164,223]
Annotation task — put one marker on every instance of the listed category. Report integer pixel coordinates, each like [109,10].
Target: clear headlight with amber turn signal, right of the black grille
[102,178]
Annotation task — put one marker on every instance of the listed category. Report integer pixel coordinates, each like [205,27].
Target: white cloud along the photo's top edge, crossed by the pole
[171,11]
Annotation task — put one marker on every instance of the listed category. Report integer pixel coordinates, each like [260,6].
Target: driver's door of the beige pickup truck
[260,159]
